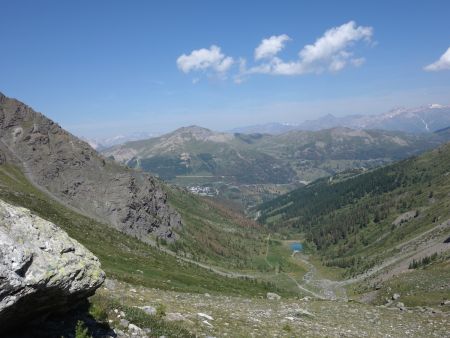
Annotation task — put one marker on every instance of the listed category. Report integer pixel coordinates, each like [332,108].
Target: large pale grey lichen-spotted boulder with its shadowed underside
[42,270]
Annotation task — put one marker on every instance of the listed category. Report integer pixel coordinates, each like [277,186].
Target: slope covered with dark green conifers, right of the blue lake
[357,221]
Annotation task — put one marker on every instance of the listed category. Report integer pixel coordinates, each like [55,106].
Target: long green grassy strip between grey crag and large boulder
[122,257]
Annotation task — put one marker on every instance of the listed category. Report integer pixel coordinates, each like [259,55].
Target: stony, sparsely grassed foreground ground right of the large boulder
[225,316]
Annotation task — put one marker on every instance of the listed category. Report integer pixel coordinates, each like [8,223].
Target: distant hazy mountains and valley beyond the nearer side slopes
[248,169]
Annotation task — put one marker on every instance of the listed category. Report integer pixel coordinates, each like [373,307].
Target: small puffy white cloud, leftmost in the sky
[205,59]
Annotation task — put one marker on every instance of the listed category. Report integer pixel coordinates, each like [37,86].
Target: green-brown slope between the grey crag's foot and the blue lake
[215,235]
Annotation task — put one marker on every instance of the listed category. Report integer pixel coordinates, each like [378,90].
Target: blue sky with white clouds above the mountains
[103,68]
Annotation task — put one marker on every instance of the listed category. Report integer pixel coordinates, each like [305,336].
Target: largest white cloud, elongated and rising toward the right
[328,53]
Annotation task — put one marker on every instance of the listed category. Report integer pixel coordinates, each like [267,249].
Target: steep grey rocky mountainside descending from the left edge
[73,172]
